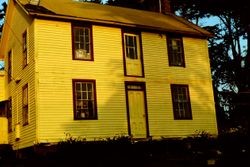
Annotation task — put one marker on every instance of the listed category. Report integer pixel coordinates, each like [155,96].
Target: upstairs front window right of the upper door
[175,51]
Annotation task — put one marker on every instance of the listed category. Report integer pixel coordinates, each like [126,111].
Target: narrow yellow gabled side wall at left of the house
[18,25]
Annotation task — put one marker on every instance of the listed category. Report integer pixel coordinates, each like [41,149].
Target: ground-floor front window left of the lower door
[84,97]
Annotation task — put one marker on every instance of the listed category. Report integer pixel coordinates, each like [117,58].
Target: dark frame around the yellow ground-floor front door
[143,85]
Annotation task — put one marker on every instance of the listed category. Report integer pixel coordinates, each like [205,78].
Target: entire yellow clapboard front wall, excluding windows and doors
[56,69]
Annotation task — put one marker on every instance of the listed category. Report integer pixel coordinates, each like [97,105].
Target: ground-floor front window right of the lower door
[181,102]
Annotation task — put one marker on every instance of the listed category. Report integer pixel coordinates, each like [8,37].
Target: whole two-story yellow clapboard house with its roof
[96,71]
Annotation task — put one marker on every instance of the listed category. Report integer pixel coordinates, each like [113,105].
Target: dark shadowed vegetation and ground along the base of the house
[229,149]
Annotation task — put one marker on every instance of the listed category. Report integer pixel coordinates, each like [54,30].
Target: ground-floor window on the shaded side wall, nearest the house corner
[25,100]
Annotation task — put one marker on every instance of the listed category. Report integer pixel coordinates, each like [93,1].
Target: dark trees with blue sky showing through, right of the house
[229,55]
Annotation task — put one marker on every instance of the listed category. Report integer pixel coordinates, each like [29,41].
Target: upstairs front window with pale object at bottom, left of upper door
[82,42]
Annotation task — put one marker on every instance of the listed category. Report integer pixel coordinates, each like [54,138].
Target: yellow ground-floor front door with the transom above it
[137,116]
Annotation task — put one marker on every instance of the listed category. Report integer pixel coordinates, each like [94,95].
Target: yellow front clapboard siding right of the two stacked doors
[159,76]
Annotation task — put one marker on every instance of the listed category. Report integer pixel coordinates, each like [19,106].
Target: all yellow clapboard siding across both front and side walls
[51,69]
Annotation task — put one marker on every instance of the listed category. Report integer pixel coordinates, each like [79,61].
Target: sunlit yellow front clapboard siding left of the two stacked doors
[57,69]
